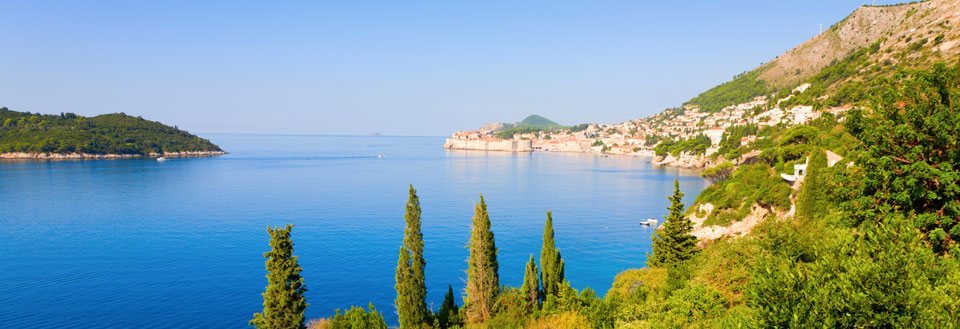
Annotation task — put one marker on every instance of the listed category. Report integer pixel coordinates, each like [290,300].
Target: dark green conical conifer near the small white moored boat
[673,242]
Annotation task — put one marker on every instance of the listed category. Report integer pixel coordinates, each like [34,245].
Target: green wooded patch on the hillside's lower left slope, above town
[743,88]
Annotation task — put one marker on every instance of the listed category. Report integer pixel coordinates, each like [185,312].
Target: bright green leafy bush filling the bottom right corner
[881,276]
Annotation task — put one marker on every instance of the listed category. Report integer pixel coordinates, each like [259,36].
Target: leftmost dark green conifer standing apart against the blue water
[283,300]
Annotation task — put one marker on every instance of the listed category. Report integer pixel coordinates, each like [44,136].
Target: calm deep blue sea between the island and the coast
[179,244]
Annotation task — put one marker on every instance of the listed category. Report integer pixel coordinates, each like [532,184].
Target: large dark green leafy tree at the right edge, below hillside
[912,145]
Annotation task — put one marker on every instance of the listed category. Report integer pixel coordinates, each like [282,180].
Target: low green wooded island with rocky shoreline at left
[25,135]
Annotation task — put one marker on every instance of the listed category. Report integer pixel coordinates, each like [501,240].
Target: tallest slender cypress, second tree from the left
[411,282]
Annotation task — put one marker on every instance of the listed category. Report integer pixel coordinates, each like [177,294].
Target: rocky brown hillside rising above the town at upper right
[870,43]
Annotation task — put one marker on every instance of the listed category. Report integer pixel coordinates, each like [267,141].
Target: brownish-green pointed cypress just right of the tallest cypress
[483,282]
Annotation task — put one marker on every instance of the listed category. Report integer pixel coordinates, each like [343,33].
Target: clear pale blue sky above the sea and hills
[423,68]
